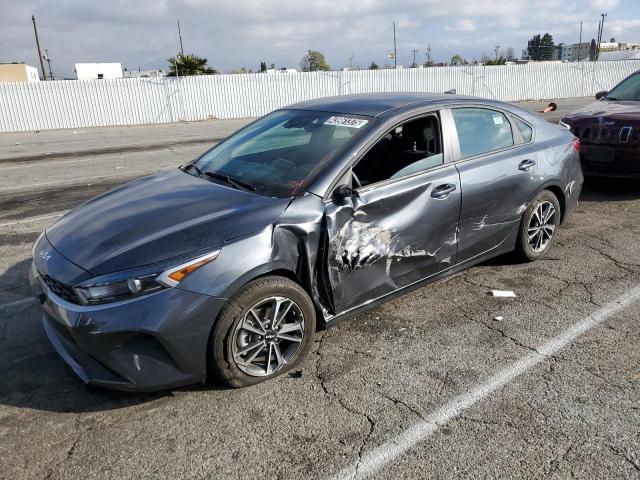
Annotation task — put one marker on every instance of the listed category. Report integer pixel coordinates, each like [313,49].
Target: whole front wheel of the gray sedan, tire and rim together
[264,330]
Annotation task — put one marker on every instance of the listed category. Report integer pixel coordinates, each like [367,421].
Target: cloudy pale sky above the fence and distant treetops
[236,33]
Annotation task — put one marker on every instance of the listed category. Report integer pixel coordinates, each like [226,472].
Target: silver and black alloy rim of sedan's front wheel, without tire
[268,336]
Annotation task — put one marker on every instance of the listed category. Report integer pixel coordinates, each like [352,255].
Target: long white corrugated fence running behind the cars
[74,104]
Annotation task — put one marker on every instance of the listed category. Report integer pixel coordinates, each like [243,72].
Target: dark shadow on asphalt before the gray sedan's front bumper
[32,375]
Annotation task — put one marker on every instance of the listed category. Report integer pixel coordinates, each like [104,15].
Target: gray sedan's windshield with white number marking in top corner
[279,153]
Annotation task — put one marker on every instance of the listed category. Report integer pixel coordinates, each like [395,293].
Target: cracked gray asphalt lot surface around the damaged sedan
[575,414]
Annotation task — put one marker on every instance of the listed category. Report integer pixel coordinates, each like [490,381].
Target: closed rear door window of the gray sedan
[481,130]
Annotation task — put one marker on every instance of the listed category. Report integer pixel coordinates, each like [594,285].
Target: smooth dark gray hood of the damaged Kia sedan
[157,218]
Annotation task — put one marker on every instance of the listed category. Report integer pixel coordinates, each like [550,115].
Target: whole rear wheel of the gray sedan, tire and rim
[538,227]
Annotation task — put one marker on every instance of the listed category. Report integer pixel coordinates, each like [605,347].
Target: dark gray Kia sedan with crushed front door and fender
[224,268]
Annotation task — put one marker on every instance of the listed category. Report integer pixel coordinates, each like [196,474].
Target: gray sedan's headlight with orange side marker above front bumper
[139,281]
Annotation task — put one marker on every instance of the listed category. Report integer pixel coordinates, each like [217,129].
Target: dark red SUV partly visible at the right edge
[609,131]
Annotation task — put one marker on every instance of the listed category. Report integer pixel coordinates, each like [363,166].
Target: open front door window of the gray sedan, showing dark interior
[408,148]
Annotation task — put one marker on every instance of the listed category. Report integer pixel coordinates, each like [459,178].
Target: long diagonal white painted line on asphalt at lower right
[380,456]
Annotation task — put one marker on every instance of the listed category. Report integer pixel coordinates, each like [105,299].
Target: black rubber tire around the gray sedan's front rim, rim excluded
[222,368]
